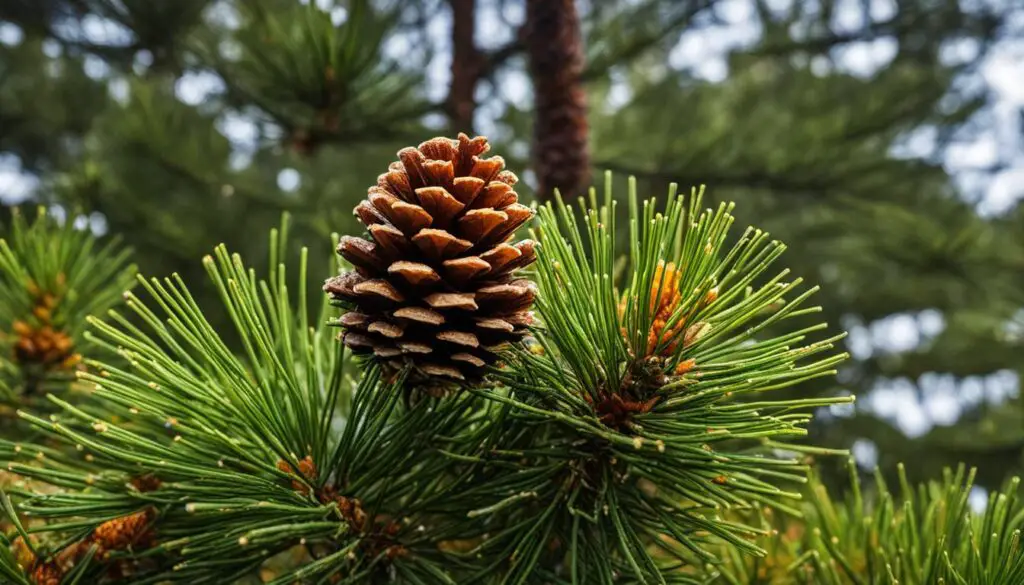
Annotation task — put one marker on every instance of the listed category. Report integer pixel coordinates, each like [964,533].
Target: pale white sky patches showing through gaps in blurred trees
[1000,143]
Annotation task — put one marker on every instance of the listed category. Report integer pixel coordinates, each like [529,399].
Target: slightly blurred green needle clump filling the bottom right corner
[922,534]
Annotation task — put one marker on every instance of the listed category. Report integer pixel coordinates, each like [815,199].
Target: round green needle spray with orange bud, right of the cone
[625,387]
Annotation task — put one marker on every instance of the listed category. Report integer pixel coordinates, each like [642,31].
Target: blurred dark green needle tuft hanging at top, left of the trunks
[319,82]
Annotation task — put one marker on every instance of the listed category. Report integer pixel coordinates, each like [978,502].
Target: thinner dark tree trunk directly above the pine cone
[466,66]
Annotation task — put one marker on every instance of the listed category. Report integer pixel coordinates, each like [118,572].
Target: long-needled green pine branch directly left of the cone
[206,464]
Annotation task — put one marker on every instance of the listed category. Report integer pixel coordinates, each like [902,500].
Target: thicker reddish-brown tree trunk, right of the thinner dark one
[554,46]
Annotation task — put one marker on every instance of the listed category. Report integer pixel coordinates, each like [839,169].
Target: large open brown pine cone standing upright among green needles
[434,286]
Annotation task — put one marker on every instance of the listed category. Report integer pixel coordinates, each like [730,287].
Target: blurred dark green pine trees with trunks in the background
[180,124]
